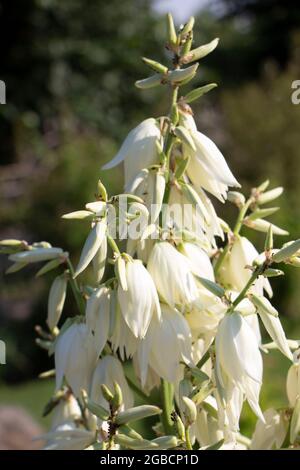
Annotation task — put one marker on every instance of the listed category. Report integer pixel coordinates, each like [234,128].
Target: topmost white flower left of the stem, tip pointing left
[138,150]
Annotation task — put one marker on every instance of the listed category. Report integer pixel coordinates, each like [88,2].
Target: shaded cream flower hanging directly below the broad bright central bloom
[166,345]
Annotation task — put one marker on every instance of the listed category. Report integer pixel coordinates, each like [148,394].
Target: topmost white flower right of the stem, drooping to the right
[207,167]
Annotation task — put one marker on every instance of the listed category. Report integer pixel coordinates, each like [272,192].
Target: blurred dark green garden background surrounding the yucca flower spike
[69,69]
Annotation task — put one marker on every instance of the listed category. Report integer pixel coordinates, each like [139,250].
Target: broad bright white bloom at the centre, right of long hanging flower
[172,275]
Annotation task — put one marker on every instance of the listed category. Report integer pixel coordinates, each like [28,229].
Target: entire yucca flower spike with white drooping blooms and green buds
[186,301]
